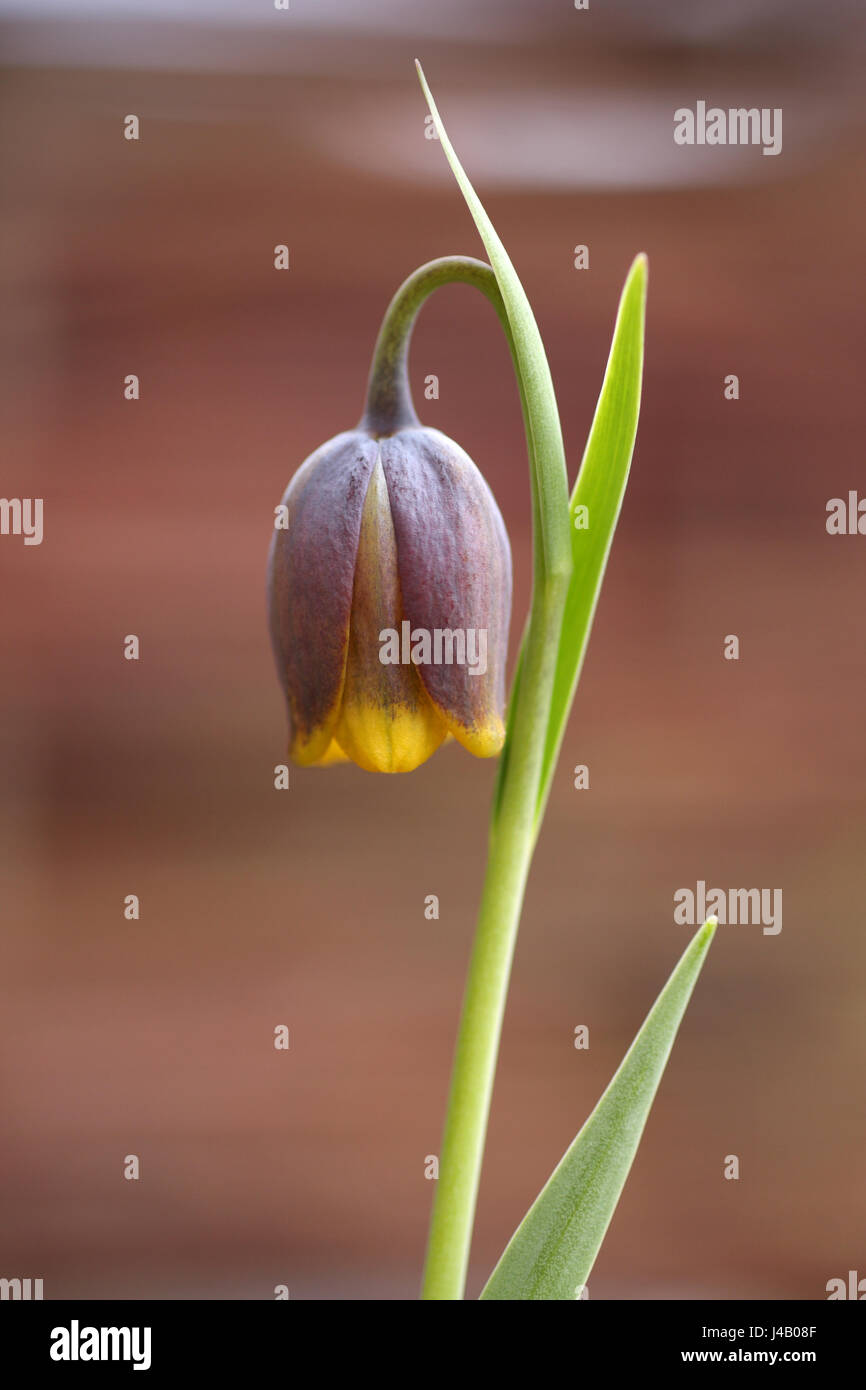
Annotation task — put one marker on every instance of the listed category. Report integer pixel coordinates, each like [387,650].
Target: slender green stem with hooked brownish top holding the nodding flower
[514,826]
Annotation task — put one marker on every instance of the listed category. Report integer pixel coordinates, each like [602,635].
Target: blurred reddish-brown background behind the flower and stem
[308,907]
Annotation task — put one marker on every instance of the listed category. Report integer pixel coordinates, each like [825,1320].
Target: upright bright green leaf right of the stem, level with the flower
[600,490]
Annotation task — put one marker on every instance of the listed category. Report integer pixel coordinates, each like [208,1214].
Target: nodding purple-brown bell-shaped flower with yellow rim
[390,596]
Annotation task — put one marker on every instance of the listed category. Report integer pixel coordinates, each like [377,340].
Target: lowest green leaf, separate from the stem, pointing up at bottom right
[554,1249]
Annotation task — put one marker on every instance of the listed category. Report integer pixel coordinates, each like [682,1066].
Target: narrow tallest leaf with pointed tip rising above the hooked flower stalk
[541,415]
